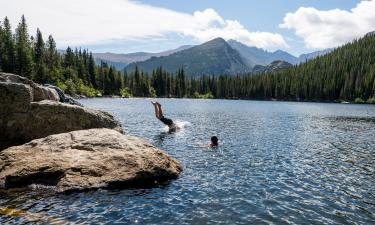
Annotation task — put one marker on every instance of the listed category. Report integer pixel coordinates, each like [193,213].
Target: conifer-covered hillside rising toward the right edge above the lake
[345,74]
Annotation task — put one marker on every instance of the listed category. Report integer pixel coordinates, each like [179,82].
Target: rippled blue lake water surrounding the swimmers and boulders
[278,162]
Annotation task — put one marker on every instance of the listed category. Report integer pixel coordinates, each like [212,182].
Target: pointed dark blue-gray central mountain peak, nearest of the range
[211,58]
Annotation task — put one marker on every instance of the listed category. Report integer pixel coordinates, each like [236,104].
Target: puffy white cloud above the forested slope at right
[326,29]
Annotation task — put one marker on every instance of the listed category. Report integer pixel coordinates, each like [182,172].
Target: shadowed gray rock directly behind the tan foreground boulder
[50,117]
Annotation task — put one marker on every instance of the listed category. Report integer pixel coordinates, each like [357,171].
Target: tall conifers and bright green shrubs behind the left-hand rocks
[73,70]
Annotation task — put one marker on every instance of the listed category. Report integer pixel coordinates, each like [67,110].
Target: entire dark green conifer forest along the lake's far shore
[345,74]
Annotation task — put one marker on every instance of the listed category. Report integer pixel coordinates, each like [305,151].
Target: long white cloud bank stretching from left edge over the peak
[78,22]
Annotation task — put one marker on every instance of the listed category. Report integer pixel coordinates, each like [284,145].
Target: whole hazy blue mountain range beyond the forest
[250,57]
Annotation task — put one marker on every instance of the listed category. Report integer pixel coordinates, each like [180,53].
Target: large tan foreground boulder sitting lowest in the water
[86,159]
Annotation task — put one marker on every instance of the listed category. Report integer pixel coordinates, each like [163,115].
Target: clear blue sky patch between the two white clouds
[264,15]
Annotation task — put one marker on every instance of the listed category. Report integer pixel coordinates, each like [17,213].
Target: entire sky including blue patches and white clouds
[123,26]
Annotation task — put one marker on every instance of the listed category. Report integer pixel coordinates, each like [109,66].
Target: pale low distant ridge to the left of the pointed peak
[120,61]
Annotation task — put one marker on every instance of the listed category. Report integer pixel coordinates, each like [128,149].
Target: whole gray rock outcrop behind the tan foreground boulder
[29,111]
